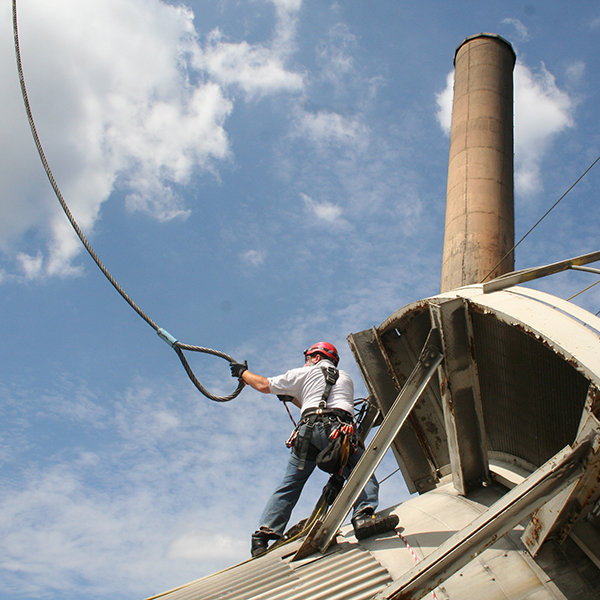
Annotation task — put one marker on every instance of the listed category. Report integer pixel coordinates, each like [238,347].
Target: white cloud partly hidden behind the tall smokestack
[542,110]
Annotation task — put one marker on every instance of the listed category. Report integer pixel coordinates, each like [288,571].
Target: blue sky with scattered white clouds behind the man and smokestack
[258,175]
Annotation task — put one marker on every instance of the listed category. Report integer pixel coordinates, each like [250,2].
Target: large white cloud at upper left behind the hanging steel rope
[113,106]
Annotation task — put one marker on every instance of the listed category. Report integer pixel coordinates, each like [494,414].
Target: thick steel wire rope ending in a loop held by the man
[176,345]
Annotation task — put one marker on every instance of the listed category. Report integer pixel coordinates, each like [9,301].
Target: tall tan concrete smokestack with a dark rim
[480,197]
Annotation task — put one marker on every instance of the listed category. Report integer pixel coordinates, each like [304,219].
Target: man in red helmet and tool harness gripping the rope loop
[325,396]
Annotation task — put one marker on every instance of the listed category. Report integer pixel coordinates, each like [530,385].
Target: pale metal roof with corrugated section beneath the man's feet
[361,571]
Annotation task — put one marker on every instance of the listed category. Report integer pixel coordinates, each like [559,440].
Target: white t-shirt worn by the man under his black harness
[307,384]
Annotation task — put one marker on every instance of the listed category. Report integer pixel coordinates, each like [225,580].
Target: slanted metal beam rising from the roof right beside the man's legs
[324,530]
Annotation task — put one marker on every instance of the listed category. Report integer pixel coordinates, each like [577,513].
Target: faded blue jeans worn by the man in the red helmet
[279,508]
